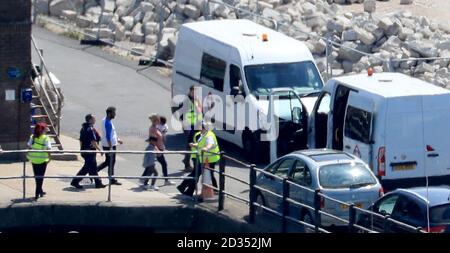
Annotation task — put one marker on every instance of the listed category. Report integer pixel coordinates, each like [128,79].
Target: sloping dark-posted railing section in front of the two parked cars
[287,201]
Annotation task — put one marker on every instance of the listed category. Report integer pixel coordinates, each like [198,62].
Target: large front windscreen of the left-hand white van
[303,77]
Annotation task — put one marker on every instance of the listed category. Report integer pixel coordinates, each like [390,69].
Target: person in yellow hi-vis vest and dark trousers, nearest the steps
[39,160]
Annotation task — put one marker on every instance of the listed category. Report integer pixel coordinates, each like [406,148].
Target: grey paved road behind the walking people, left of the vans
[93,79]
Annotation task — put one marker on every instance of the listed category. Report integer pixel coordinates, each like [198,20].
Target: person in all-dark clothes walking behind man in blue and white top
[89,139]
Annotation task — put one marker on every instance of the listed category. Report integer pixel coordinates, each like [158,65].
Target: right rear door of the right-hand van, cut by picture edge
[436,116]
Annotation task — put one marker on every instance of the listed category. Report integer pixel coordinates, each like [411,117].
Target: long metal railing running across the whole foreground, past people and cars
[286,199]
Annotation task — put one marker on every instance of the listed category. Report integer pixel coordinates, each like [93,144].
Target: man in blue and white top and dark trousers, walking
[109,141]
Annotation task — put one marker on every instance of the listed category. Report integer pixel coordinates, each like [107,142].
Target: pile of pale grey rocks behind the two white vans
[395,37]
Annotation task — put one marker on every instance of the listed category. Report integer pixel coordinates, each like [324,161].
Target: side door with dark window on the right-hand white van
[358,126]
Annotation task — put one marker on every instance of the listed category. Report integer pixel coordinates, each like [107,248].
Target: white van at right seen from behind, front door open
[399,125]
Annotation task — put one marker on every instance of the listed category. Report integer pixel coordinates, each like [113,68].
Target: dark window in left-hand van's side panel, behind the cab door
[212,72]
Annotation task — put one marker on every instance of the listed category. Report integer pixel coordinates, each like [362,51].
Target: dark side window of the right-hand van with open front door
[358,124]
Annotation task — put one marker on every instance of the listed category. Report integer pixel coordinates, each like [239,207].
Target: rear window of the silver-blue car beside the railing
[346,175]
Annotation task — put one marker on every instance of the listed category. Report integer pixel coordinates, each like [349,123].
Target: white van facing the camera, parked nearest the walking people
[231,57]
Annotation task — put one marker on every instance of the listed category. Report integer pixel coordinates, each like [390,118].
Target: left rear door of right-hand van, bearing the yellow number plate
[404,153]
